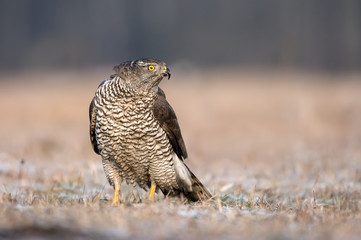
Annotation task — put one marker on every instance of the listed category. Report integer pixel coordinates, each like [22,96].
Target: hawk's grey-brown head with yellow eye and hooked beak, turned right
[142,75]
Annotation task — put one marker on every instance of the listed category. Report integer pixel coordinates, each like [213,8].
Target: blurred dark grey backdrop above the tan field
[308,35]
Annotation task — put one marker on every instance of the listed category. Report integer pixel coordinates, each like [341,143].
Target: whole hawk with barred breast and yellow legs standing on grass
[136,132]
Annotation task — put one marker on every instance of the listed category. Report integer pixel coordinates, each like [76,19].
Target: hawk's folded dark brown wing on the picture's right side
[167,119]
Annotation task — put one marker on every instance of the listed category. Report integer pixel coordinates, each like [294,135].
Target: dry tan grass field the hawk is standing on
[280,151]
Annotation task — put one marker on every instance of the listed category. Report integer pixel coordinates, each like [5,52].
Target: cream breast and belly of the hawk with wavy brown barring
[128,133]
